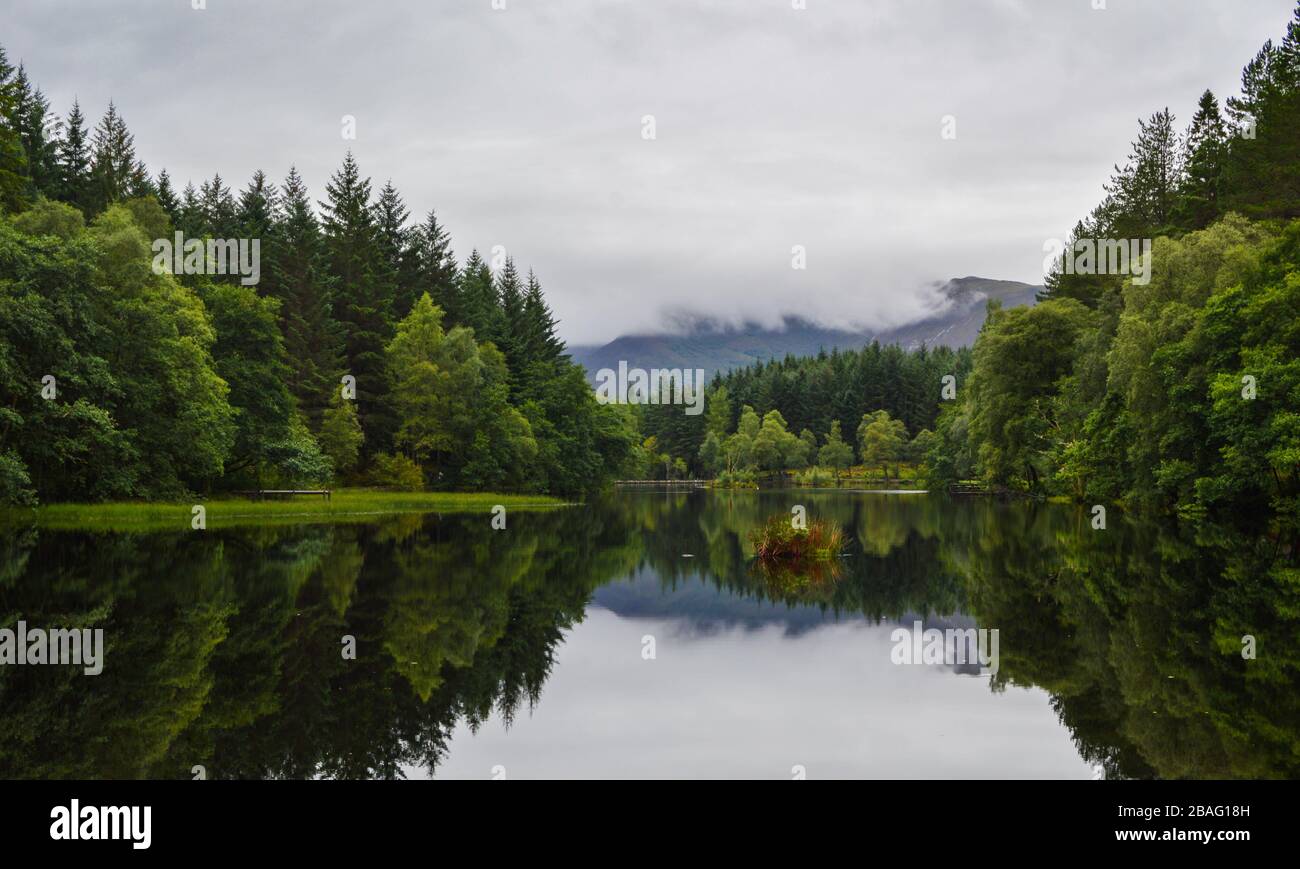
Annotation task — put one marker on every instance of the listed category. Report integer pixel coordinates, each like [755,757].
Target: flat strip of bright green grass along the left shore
[226,512]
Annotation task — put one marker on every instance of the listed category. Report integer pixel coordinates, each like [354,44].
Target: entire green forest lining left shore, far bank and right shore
[369,353]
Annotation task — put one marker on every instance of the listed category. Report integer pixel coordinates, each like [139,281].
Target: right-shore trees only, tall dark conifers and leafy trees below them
[1181,392]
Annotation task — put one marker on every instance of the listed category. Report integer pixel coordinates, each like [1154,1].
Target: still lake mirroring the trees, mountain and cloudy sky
[634,637]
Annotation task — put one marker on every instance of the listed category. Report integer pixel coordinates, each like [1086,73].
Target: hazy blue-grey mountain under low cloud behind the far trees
[722,349]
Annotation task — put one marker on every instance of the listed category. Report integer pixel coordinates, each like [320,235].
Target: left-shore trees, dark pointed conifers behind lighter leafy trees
[366,352]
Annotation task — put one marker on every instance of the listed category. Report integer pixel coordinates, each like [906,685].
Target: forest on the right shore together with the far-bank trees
[1175,391]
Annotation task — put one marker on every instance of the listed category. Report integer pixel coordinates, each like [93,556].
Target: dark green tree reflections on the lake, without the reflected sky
[226,648]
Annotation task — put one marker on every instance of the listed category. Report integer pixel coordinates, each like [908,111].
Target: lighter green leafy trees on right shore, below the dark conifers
[1177,395]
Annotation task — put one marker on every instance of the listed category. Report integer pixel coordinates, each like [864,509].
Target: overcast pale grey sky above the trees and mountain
[774,127]
